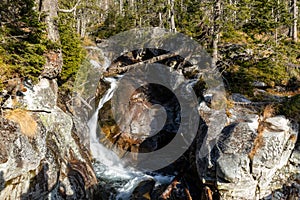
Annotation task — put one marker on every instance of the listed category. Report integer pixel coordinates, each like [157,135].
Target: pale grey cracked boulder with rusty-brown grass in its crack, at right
[235,173]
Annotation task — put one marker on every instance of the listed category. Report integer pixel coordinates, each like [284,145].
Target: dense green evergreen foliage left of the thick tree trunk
[23,40]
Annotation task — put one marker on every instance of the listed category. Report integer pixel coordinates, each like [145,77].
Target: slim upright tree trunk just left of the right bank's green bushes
[216,32]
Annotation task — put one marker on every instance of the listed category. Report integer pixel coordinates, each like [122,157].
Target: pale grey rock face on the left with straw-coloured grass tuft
[49,164]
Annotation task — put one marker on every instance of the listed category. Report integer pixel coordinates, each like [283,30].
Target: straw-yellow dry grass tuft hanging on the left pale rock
[26,122]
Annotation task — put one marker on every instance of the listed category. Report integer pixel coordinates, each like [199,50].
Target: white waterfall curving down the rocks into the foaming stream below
[108,165]
